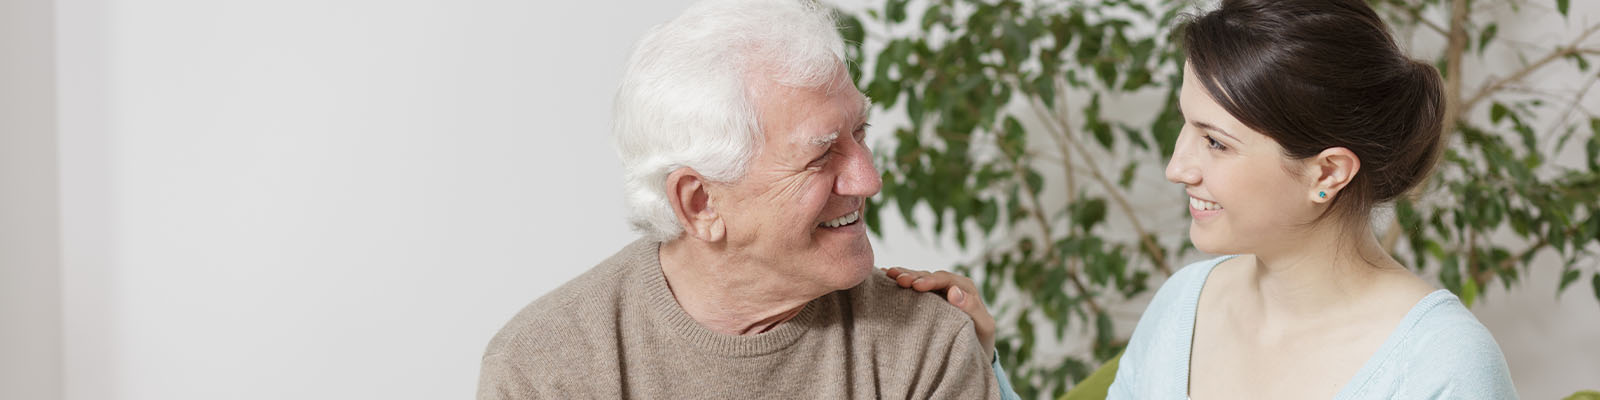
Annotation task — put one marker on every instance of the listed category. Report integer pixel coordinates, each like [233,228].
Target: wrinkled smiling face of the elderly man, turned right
[798,212]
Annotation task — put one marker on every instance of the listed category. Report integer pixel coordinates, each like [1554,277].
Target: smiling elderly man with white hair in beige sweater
[748,170]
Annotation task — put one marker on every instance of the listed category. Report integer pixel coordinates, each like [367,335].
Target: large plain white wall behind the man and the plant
[310,199]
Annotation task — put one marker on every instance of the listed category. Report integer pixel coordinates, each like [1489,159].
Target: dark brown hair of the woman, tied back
[1321,74]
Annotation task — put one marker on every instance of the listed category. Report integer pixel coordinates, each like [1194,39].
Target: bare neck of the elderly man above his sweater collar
[726,295]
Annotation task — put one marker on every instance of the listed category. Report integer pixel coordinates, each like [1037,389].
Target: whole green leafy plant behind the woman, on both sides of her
[1036,129]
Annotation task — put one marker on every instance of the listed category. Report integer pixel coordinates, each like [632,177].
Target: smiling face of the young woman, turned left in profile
[1244,194]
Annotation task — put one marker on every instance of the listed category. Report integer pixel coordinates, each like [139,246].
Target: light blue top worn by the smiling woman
[1439,351]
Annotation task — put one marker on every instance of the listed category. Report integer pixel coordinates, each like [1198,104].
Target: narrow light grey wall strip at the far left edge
[30,249]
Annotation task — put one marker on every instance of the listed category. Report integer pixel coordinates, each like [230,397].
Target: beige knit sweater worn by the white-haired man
[617,332]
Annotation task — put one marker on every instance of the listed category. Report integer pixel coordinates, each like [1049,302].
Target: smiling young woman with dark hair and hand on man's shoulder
[1300,118]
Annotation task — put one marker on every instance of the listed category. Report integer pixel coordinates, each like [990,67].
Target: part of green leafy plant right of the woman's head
[1498,178]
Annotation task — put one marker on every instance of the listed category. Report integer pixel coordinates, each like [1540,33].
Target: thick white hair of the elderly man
[687,95]
